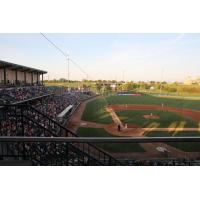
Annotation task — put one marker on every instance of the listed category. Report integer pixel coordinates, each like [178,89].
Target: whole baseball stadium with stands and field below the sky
[96,122]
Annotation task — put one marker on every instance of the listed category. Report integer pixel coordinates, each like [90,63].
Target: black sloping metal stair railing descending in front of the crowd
[26,116]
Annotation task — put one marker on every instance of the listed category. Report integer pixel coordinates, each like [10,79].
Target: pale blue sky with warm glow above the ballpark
[116,56]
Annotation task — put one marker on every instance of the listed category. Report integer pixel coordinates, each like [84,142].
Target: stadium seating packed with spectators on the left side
[24,115]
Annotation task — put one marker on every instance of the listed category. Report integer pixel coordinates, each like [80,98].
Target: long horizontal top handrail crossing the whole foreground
[99,140]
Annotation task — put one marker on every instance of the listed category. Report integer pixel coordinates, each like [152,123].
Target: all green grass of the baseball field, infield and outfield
[95,112]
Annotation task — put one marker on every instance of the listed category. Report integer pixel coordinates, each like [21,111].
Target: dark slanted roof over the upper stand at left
[22,68]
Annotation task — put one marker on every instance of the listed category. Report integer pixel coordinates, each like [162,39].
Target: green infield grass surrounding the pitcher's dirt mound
[167,119]
